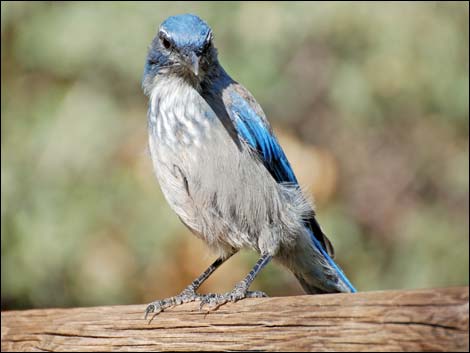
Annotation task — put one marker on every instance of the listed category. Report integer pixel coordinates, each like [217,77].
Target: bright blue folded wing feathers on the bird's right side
[257,134]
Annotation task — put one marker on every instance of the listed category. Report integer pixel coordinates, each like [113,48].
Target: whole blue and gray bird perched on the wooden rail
[222,170]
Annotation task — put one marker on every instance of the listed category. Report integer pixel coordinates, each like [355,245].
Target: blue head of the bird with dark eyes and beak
[183,47]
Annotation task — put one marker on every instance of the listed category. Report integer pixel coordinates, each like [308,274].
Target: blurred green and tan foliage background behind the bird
[370,101]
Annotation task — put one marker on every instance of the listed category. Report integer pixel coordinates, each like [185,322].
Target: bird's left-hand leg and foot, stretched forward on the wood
[188,294]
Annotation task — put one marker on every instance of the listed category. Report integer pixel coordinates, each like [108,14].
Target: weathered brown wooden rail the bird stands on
[419,320]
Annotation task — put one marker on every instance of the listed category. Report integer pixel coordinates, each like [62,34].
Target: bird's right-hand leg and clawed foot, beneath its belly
[241,288]
